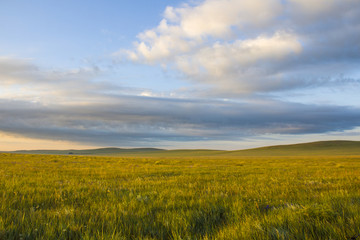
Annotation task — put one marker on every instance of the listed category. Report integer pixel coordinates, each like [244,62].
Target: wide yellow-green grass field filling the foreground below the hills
[296,192]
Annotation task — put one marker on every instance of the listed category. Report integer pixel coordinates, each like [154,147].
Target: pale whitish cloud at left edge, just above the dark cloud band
[21,79]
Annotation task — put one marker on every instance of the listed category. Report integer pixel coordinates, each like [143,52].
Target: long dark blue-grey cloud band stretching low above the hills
[137,121]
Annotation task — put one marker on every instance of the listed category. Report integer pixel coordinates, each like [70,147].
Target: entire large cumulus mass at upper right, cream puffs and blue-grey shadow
[254,46]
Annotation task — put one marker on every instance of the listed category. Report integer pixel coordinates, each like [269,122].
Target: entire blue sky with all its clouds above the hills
[219,74]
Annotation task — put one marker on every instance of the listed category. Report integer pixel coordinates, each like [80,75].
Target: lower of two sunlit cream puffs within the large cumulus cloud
[233,62]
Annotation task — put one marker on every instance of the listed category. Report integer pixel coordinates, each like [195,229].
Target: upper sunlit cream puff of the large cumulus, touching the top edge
[184,29]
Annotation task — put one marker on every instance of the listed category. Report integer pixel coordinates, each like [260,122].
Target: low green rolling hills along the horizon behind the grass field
[301,149]
